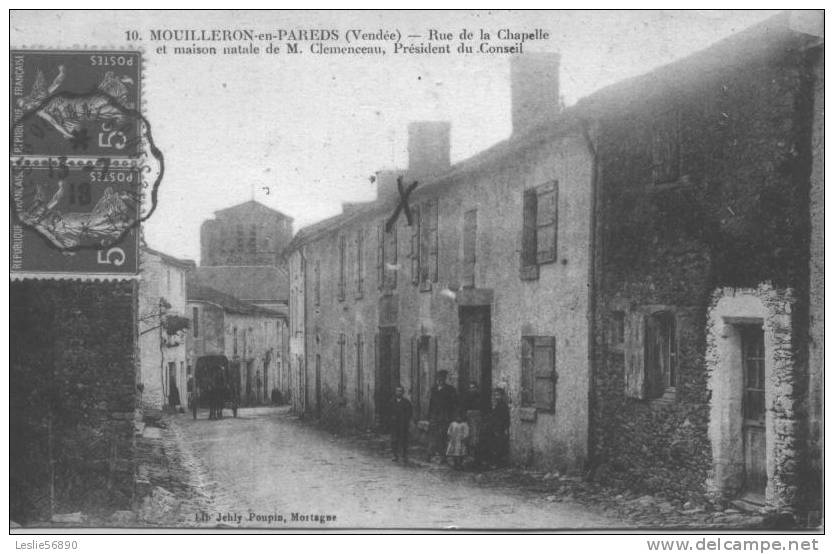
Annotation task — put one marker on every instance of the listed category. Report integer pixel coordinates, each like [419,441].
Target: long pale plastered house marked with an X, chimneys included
[489,282]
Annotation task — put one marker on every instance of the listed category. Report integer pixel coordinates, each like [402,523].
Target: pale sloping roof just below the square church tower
[248,283]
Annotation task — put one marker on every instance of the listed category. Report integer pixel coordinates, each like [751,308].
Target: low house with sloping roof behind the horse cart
[254,339]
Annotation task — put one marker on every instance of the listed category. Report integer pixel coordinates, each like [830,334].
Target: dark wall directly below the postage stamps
[72,399]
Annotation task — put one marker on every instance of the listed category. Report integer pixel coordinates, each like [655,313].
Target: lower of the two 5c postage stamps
[75,219]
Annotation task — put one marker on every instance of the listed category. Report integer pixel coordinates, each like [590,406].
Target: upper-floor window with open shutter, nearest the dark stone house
[540,227]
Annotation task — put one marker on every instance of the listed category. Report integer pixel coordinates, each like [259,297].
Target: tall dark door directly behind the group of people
[476,351]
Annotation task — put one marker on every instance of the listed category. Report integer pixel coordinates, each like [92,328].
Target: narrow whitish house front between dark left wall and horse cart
[163,360]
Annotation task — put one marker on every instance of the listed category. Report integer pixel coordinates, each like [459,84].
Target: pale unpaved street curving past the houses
[264,466]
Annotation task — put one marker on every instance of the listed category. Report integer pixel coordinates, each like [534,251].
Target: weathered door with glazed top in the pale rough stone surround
[753,409]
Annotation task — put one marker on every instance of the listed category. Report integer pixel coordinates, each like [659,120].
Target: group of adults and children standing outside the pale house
[459,425]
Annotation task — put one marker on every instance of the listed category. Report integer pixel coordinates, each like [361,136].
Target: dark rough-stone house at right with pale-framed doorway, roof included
[702,383]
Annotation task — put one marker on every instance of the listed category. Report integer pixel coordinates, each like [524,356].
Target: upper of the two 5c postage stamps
[66,103]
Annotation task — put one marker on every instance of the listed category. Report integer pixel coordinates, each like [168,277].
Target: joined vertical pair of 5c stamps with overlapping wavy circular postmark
[84,168]
